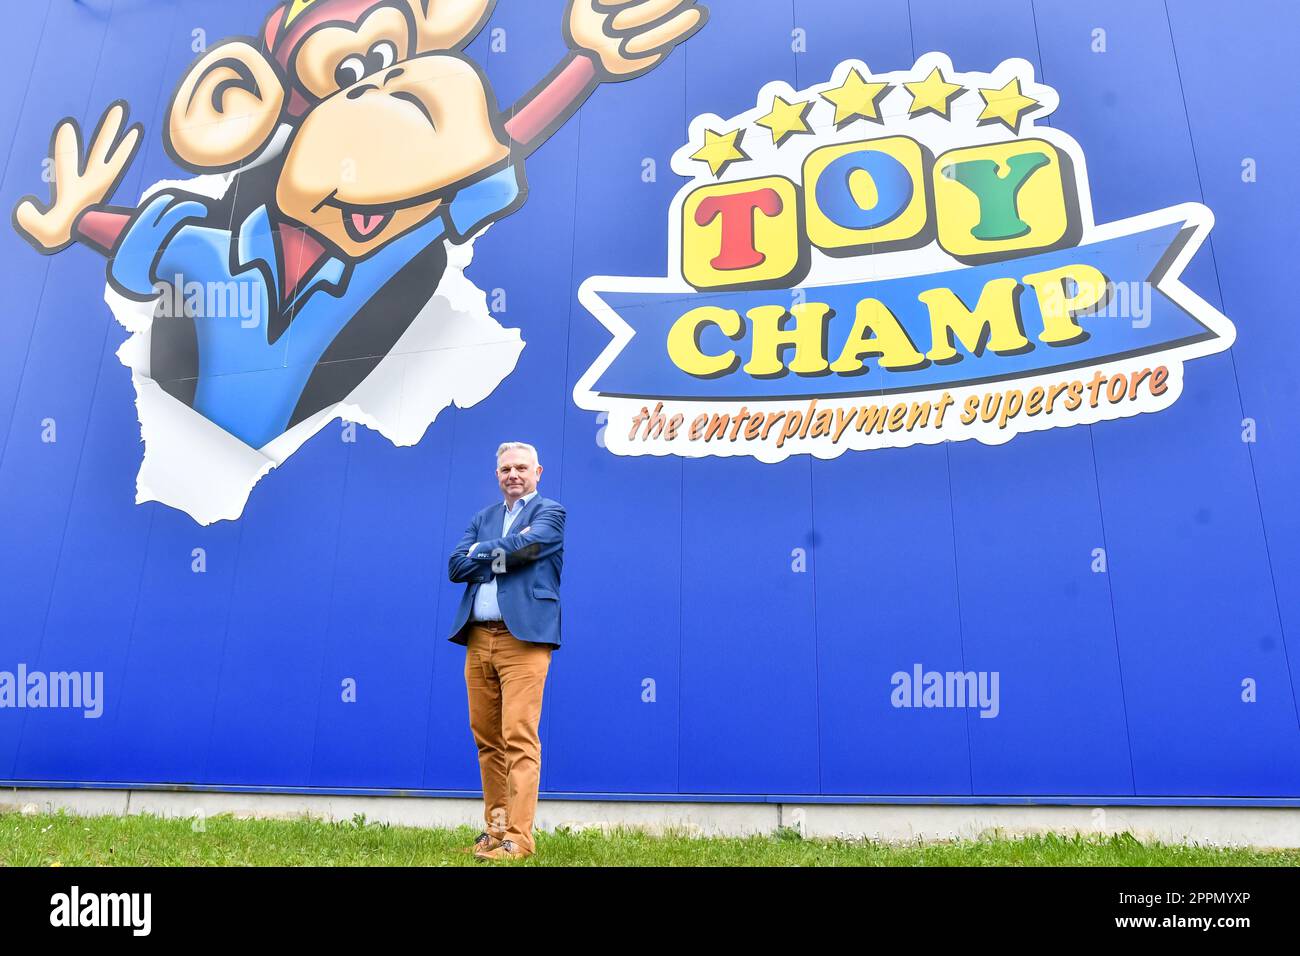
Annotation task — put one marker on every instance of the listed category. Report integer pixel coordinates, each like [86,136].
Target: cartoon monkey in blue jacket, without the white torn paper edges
[396,146]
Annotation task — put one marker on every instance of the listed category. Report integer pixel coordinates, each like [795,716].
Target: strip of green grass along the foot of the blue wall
[141,841]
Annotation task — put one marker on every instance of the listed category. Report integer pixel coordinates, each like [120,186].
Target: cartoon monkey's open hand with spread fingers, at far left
[81,181]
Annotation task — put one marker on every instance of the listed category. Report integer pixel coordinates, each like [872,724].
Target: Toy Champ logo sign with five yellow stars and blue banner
[890,259]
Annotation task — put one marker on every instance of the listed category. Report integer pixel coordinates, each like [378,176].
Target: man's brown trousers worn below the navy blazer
[505,678]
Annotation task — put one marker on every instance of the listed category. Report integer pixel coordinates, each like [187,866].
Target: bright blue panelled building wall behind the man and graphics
[1115,686]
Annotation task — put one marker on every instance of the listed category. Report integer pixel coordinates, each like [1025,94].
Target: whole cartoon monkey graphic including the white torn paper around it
[314,270]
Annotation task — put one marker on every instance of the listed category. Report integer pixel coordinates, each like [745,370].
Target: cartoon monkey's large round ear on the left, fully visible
[226,110]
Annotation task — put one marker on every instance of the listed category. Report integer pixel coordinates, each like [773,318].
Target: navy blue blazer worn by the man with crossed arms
[528,591]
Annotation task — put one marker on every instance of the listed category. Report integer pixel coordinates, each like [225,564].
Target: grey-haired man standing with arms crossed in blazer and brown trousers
[510,561]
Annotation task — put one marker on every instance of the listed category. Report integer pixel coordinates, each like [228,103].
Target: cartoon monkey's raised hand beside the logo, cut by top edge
[632,37]
